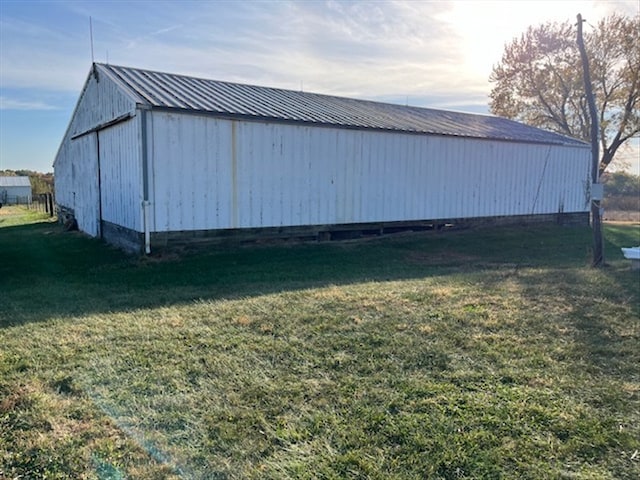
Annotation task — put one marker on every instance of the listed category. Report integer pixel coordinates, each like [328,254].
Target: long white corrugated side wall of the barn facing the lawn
[211,173]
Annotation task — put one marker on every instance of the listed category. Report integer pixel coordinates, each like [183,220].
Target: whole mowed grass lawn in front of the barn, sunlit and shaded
[461,355]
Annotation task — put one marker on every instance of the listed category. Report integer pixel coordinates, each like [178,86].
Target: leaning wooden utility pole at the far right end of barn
[596,189]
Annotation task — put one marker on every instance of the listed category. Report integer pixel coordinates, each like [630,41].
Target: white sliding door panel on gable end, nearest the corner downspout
[121,174]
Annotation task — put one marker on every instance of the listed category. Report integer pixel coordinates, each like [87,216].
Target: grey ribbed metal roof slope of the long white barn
[166,90]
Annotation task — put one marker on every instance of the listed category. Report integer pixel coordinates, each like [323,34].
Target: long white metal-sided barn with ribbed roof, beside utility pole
[151,157]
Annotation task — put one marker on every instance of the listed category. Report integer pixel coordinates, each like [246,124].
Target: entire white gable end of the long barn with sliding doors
[97,167]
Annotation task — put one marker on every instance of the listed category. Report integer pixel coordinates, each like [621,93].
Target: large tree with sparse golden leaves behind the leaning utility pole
[539,81]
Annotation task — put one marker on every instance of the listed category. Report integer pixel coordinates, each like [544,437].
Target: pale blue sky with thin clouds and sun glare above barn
[429,53]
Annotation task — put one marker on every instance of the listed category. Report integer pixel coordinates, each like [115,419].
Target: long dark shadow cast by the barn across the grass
[47,273]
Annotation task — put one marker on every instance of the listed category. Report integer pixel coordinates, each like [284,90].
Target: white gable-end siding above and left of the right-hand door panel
[76,163]
